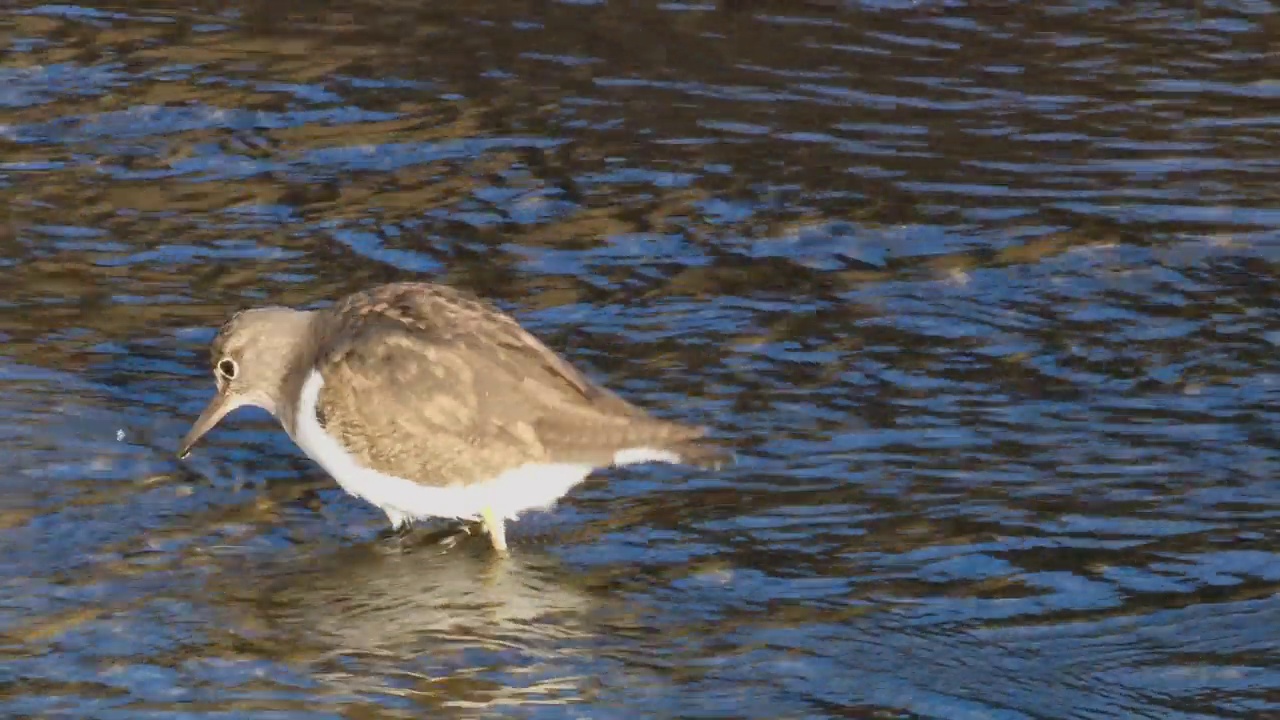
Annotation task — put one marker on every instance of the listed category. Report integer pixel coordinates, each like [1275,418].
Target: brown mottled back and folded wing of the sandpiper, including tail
[431,385]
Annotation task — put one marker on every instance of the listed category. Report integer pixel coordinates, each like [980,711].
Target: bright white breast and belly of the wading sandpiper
[529,487]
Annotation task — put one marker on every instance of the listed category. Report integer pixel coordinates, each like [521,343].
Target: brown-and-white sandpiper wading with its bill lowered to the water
[431,403]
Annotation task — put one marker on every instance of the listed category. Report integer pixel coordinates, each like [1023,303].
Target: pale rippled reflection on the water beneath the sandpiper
[382,599]
